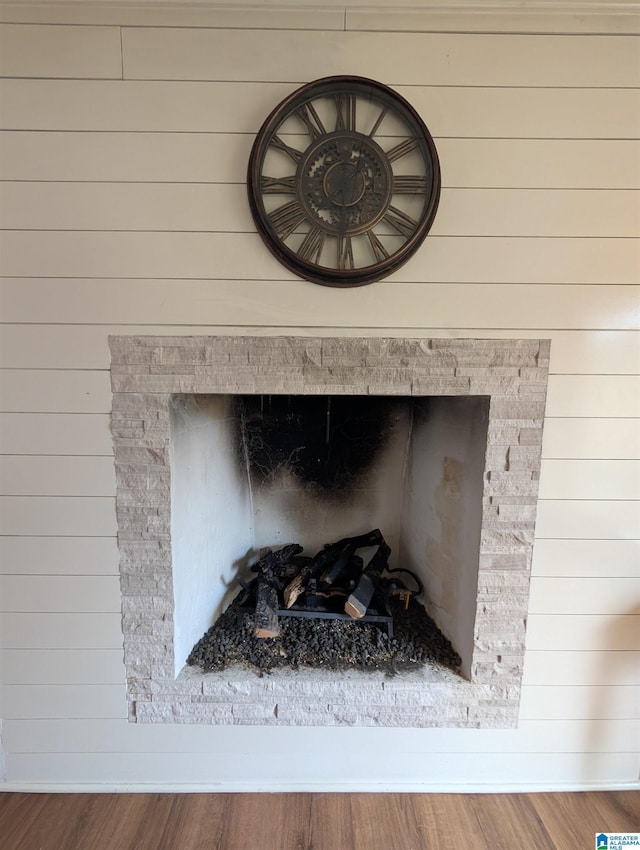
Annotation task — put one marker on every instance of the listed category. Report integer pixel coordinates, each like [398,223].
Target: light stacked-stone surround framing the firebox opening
[147,371]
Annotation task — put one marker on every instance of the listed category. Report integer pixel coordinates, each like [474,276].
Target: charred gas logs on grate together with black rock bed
[329,610]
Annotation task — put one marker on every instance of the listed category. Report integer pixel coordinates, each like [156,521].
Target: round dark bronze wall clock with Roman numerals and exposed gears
[343,181]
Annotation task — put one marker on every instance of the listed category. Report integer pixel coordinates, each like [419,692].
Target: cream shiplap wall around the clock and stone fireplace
[123,153]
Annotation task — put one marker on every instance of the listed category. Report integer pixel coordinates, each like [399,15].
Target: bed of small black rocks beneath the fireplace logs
[326,644]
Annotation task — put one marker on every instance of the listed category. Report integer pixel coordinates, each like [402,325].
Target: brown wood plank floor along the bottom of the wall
[303,821]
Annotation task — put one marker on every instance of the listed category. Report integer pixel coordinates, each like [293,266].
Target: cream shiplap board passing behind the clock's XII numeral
[466,112]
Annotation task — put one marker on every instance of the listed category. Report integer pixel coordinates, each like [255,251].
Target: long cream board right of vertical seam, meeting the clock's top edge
[443,59]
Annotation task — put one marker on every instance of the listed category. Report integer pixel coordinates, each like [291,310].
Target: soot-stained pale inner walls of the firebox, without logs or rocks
[249,472]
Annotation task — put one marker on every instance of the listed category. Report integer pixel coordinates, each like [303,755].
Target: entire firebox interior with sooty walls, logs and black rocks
[326,531]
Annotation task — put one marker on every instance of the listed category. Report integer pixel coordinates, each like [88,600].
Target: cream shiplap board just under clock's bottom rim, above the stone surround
[292,303]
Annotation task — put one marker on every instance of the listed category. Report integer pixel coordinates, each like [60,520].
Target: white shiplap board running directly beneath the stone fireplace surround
[532,736]
